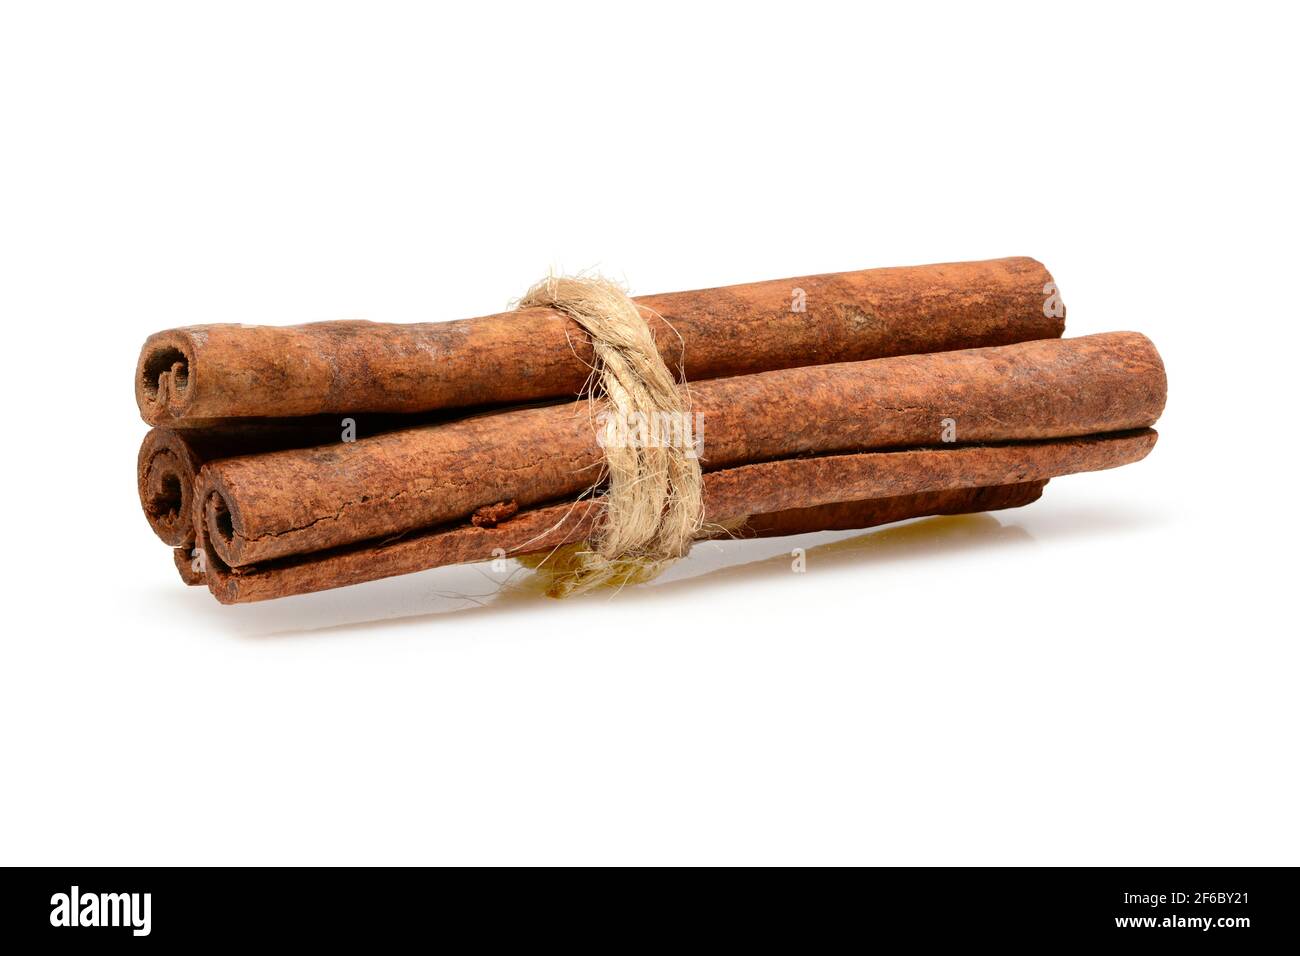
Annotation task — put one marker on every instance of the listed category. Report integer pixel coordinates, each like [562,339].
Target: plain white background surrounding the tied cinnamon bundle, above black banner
[1107,677]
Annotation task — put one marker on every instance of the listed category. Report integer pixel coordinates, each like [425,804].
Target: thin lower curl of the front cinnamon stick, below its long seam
[731,496]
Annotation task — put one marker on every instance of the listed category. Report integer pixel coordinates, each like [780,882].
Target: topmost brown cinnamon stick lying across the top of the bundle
[194,377]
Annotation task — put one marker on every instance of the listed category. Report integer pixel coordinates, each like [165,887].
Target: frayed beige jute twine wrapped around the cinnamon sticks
[653,507]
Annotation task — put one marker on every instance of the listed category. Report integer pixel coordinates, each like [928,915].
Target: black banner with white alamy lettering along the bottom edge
[135,907]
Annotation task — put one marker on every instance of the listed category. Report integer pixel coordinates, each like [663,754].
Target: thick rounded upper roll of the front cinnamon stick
[296,503]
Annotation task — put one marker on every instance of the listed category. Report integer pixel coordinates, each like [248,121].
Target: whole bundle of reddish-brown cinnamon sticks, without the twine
[285,461]
